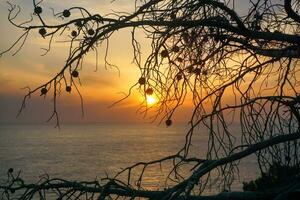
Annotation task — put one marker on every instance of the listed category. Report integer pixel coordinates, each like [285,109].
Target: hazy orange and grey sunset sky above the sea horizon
[99,88]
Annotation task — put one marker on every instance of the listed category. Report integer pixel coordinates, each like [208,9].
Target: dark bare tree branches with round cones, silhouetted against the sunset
[205,49]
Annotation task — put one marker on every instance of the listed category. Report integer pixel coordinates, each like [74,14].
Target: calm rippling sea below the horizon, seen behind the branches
[86,152]
